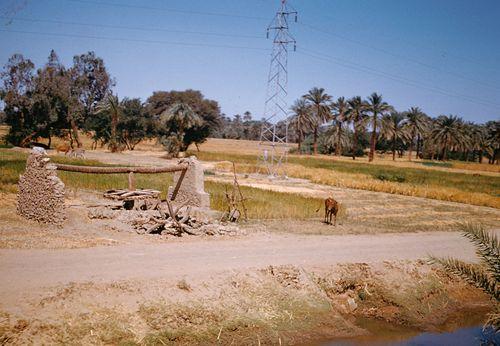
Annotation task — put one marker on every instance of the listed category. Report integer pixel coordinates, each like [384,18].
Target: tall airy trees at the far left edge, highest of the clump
[53,102]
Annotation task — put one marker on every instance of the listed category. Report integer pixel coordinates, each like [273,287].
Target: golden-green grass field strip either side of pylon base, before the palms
[477,189]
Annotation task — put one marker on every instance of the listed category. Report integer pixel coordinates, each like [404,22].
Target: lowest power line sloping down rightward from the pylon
[399,79]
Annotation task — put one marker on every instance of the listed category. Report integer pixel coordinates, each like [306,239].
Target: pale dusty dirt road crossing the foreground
[25,271]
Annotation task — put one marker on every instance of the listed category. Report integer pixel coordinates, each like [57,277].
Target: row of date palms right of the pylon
[349,126]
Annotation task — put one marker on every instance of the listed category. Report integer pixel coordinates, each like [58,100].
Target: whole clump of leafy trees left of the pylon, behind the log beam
[60,101]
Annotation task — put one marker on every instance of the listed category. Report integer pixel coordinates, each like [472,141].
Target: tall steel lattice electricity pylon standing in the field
[274,148]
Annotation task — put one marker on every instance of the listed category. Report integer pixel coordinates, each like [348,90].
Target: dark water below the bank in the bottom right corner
[461,337]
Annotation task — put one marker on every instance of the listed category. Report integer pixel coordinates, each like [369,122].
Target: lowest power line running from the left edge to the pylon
[133,40]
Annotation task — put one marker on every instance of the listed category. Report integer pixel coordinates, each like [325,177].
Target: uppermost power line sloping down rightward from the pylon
[399,56]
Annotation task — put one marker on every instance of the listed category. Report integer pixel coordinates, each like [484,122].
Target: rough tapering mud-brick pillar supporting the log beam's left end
[41,192]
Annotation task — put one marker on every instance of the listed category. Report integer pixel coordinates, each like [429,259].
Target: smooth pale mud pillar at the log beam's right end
[192,189]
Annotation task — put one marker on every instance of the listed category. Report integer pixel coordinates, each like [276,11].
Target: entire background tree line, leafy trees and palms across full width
[59,101]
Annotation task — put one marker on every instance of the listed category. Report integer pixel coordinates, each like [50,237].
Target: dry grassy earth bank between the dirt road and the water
[275,305]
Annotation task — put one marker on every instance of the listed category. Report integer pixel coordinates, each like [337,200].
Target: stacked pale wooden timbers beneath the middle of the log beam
[146,199]
